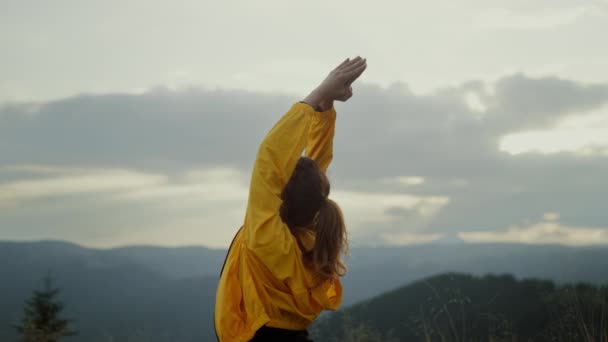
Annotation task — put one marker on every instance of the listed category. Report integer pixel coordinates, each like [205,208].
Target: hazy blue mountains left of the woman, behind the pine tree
[111,296]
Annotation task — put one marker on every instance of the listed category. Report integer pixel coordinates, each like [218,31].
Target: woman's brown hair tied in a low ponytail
[306,206]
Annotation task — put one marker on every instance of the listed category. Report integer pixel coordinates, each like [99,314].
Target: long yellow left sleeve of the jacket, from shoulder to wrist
[265,234]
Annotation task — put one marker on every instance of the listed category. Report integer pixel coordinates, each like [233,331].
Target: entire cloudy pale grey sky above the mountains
[137,122]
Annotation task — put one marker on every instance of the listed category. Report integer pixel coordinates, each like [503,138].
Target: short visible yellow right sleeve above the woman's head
[321,138]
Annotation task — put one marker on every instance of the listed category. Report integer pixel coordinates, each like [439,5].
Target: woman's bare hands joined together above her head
[337,85]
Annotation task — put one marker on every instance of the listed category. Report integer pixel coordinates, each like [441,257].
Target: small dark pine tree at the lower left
[41,322]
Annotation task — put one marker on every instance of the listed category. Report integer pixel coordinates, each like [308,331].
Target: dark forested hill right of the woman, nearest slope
[462,307]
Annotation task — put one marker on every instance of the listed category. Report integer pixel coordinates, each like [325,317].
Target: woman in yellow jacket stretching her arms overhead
[284,264]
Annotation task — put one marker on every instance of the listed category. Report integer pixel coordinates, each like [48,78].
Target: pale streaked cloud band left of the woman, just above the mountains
[109,207]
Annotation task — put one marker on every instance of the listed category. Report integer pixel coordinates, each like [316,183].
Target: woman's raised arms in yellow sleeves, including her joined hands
[279,152]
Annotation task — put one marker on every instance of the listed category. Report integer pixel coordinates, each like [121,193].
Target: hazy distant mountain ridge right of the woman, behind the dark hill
[375,270]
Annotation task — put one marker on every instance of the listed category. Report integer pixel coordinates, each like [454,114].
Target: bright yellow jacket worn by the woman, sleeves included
[264,280]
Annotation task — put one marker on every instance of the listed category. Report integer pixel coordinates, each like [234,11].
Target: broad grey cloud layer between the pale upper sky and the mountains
[403,162]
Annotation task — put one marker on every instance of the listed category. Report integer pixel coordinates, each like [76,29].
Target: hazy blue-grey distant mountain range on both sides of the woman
[152,293]
